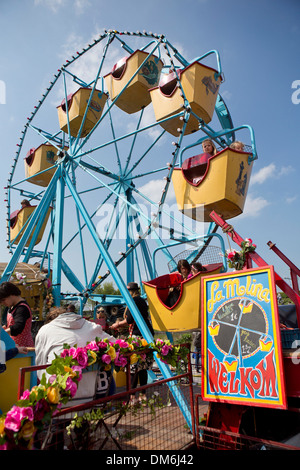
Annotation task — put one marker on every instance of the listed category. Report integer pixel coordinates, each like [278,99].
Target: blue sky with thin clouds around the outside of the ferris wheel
[258,42]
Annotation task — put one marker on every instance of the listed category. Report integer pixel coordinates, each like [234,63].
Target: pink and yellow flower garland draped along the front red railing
[37,406]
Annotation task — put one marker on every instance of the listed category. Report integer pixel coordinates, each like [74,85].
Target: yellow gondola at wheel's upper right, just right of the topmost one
[200,85]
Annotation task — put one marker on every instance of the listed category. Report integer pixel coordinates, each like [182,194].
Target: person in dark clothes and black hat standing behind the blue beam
[138,371]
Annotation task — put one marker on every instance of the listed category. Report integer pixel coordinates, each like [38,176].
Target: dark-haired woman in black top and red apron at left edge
[19,316]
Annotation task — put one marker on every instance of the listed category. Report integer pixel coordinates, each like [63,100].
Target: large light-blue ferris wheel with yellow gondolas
[95,162]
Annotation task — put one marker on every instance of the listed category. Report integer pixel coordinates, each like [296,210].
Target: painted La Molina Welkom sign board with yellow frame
[241,344]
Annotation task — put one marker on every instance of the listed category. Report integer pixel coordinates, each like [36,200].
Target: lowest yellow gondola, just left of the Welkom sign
[185,314]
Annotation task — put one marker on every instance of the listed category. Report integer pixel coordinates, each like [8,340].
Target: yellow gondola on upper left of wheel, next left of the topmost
[76,104]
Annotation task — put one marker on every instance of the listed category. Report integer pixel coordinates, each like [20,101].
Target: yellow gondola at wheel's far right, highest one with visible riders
[221,185]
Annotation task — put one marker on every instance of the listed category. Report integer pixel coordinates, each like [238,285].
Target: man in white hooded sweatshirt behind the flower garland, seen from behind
[70,328]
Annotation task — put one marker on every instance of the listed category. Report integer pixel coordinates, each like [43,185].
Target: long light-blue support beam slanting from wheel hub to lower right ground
[127,298]
